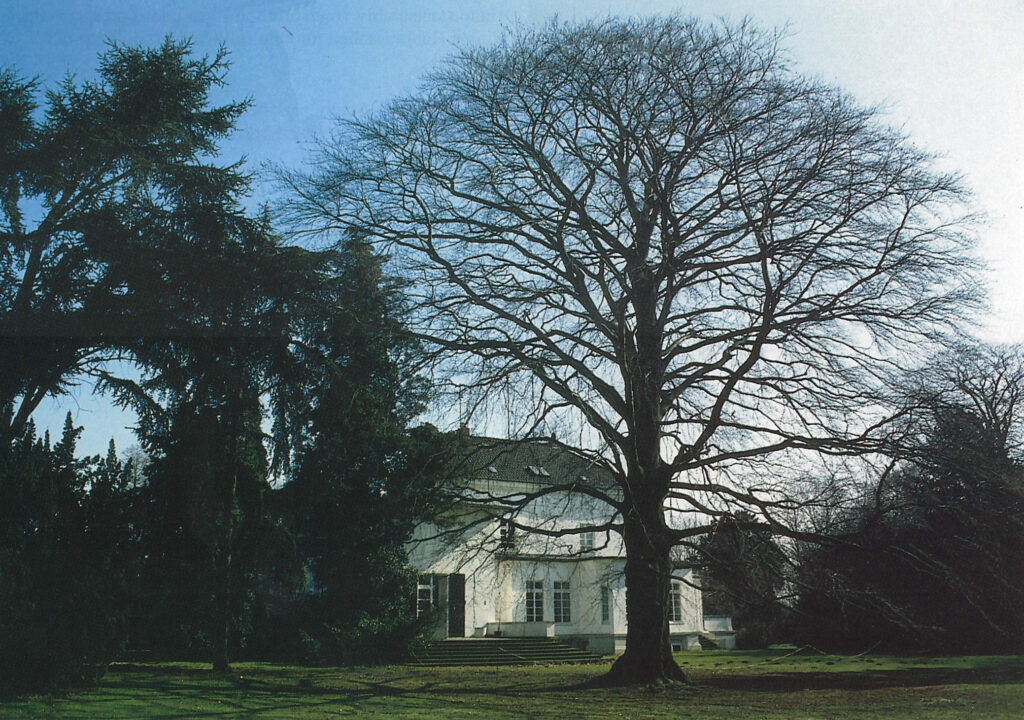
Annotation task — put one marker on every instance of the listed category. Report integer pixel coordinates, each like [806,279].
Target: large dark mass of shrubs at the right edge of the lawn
[935,560]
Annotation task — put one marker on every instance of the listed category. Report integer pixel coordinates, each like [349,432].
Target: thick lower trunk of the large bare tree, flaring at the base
[649,571]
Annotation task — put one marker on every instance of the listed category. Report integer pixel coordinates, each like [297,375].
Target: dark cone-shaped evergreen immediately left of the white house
[362,481]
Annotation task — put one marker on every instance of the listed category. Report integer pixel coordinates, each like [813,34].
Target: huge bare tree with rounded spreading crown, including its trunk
[658,231]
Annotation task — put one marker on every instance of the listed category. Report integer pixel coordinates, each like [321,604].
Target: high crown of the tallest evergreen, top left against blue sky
[112,207]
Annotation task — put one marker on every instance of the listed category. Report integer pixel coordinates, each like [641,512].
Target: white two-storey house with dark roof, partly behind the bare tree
[496,578]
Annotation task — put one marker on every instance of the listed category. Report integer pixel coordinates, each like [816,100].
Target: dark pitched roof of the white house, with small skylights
[535,460]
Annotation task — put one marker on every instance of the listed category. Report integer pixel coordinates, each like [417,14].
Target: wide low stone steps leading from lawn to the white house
[502,651]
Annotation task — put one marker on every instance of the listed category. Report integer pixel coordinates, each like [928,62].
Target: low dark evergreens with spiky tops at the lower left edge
[66,562]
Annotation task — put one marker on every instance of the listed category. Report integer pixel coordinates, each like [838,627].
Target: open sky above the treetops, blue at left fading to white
[952,74]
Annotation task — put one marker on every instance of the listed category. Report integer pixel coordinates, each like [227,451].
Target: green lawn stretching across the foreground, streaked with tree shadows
[773,684]
